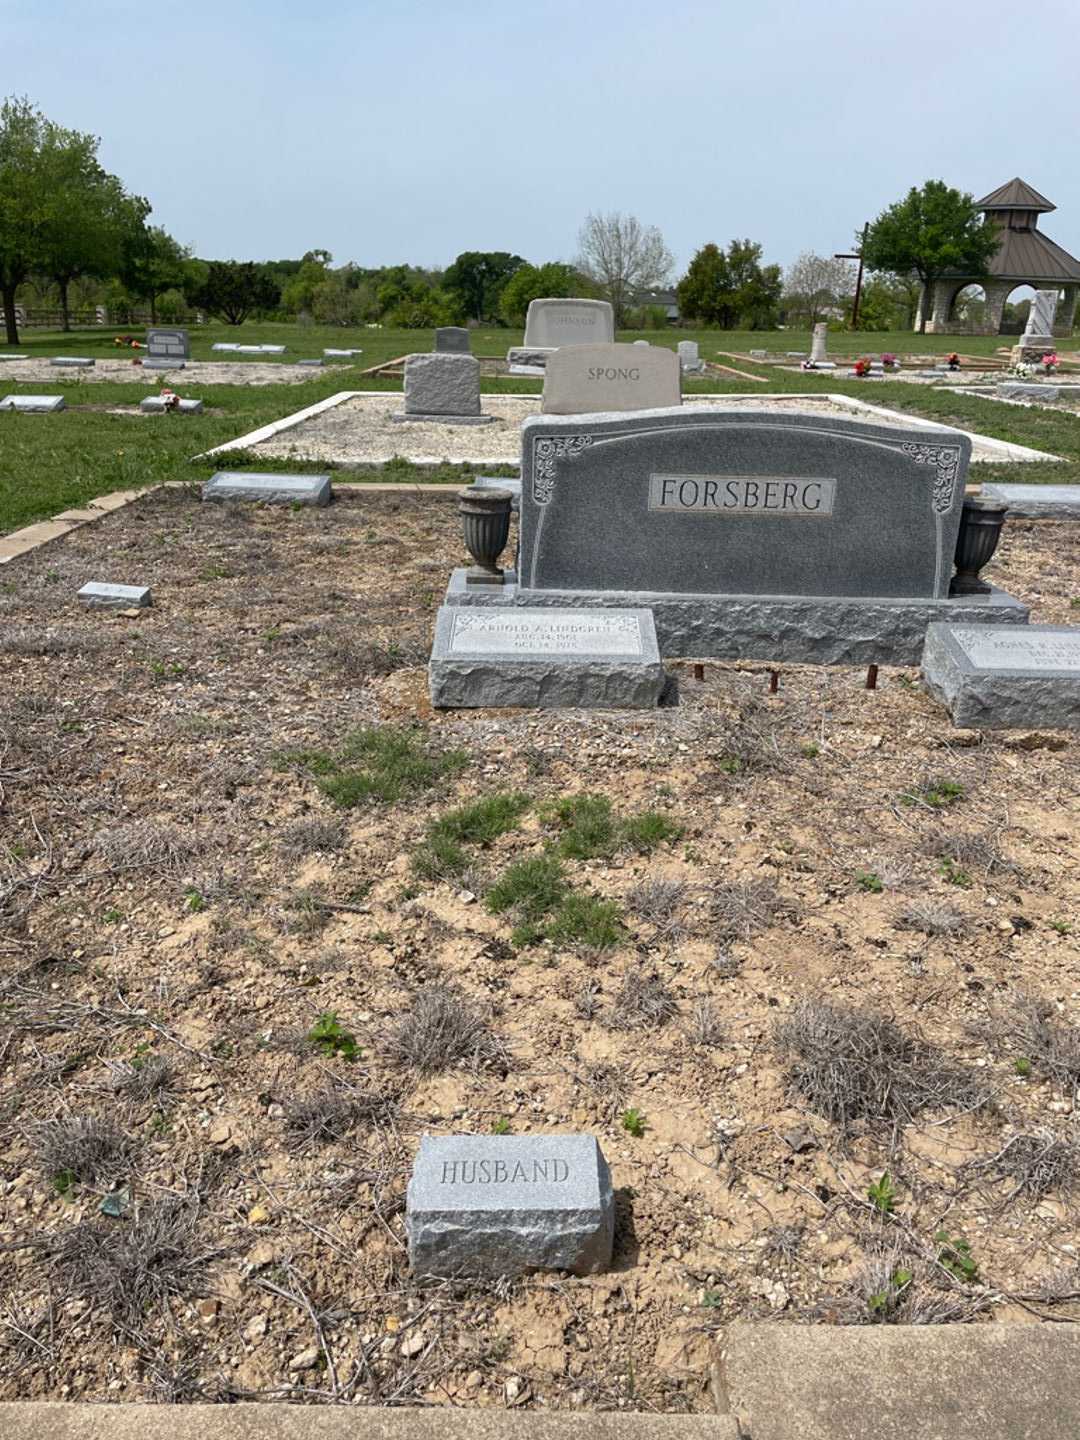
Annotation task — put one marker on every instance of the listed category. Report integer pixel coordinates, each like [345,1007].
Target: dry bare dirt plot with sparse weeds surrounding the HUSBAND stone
[853,957]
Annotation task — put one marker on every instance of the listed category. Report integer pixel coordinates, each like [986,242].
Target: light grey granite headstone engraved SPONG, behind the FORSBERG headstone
[582,379]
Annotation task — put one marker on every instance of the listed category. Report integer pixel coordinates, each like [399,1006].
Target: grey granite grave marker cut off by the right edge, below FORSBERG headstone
[1006,678]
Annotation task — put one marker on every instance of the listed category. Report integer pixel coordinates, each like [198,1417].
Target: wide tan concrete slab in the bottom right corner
[905,1382]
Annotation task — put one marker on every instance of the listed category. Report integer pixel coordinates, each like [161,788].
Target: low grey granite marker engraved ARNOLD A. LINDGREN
[548,659]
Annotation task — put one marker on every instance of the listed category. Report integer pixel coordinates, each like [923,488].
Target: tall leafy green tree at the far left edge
[51,191]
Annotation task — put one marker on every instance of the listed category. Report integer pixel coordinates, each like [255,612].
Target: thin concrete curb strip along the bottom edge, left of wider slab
[81,1422]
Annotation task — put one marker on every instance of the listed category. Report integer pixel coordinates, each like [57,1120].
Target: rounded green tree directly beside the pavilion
[928,234]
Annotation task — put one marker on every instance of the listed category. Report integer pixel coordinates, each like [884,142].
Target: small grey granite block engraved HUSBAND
[502,1206]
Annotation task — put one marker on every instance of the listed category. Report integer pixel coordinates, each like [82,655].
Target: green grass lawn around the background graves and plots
[53,463]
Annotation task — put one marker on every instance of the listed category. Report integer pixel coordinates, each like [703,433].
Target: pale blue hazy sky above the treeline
[411,130]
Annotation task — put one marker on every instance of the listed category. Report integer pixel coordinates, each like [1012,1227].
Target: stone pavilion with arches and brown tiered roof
[1026,257]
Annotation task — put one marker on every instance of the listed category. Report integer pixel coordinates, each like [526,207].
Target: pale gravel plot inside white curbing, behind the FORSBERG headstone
[362,431]
